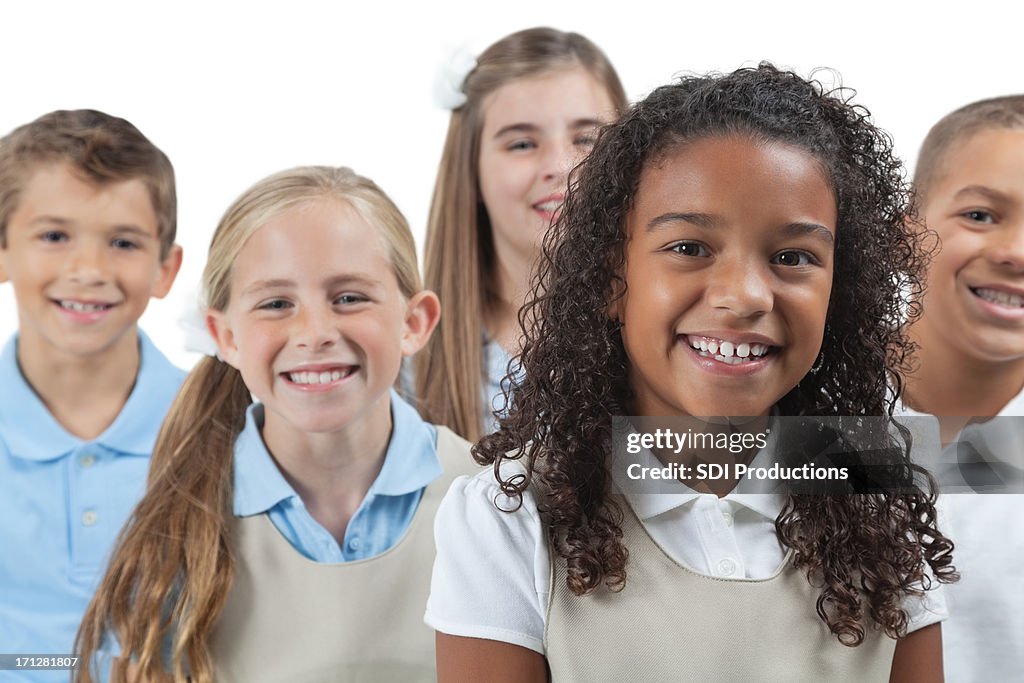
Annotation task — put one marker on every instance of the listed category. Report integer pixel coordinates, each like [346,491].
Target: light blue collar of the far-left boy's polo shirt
[31,433]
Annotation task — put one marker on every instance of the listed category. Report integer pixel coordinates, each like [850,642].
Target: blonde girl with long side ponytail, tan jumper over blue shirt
[289,539]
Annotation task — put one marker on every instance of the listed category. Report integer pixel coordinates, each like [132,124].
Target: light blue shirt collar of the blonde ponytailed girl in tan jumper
[410,464]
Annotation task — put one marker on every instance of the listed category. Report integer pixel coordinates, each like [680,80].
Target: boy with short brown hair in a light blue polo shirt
[88,223]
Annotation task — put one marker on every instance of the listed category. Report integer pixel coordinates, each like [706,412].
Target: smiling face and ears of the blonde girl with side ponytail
[317,323]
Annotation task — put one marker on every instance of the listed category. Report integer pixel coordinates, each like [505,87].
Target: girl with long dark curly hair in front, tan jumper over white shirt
[692,274]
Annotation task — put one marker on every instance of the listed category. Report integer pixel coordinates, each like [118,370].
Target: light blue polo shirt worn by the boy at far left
[63,502]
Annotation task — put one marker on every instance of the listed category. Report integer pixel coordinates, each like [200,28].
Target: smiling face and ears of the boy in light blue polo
[84,261]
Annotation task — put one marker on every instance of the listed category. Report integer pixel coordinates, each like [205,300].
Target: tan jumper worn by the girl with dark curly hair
[672,624]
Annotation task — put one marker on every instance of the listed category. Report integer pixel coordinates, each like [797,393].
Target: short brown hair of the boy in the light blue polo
[104,148]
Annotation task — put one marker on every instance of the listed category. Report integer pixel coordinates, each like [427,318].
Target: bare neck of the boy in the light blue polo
[84,394]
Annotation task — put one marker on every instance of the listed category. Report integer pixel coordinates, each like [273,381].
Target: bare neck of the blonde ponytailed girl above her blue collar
[333,472]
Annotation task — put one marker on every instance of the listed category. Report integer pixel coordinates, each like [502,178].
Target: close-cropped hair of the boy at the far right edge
[1005,112]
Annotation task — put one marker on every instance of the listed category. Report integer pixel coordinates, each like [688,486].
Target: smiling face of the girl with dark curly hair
[729,273]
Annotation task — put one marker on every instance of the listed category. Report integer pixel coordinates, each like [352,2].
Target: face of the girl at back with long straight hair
[535,131]
